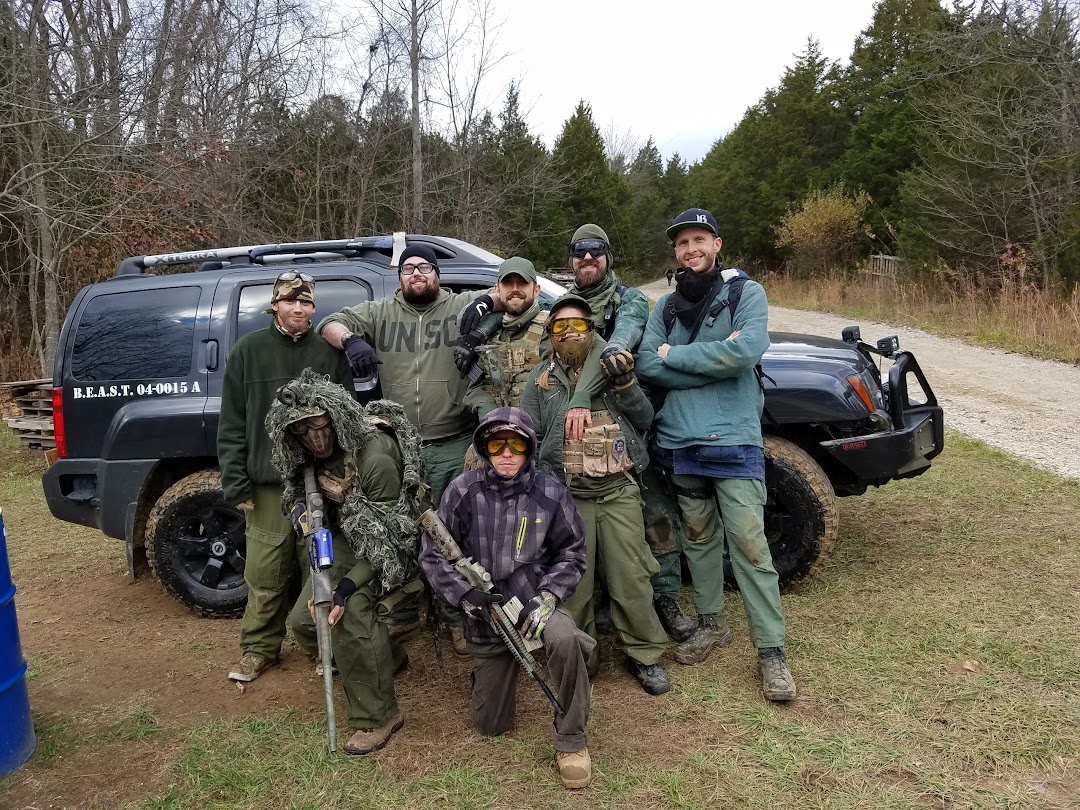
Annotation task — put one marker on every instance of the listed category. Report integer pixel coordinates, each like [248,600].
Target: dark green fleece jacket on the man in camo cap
[258,367]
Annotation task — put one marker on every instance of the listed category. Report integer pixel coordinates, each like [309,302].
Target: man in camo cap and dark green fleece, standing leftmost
[260,363]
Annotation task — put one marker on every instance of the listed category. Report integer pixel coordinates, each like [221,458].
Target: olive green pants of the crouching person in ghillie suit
[362,647]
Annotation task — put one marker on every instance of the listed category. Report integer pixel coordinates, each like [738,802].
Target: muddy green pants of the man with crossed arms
[732,511]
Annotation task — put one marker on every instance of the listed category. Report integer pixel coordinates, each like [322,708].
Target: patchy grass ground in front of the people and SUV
[937,655]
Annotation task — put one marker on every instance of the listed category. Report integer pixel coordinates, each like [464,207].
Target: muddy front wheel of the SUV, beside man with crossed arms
[802,520]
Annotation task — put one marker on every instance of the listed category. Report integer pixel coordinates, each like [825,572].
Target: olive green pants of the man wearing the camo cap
[275,556]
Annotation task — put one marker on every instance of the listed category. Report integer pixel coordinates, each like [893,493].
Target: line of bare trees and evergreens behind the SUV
[129,127]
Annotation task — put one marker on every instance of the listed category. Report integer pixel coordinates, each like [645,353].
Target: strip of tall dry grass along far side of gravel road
[1018,318]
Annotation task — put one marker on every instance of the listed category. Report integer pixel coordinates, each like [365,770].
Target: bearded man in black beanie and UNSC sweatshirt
[411,340]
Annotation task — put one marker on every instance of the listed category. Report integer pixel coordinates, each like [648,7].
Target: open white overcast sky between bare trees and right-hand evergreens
[684,73]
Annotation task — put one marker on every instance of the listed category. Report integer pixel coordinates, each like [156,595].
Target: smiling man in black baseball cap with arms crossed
[709,438]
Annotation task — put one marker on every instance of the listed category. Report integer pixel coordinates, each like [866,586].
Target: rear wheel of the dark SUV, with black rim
[195,544]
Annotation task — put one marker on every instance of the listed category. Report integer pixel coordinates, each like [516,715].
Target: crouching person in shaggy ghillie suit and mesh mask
[370,474]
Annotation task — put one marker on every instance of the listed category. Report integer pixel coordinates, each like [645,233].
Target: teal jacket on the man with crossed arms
[713,395]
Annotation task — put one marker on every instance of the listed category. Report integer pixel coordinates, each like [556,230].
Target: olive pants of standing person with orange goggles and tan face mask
[617,552]
